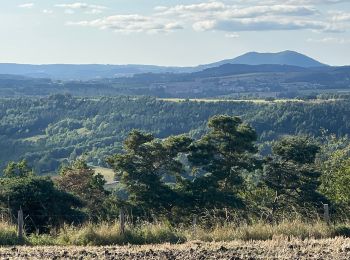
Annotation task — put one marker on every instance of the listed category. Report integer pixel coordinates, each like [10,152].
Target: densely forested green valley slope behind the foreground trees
[49,131]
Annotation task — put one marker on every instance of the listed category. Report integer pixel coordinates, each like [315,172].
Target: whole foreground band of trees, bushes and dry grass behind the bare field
[217,187]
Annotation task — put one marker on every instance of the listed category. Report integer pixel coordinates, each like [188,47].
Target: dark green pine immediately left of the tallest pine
[143,167]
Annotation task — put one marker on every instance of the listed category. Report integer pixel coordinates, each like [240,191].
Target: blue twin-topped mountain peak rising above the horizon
[290,58]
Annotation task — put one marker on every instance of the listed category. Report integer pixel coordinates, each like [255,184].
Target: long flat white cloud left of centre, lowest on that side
[131,23]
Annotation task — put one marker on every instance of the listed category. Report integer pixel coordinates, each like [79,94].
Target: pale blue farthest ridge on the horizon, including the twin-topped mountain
[98,71]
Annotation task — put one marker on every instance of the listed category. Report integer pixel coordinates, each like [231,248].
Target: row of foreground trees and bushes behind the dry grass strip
[219,177]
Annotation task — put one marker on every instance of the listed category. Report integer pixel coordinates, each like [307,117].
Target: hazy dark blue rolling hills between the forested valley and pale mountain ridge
[231,80]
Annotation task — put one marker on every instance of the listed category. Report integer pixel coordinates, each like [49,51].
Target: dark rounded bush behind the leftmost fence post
[44,206]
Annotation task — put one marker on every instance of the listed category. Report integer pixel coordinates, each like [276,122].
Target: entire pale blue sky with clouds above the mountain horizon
[172,32]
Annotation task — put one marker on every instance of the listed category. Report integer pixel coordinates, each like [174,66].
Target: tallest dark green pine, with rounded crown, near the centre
[219,159]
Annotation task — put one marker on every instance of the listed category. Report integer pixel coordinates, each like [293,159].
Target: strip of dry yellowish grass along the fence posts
[159,233]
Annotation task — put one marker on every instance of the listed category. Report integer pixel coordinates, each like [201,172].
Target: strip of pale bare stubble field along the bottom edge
[279,248]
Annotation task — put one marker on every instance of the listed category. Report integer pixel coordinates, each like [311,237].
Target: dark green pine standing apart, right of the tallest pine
[293,177]
